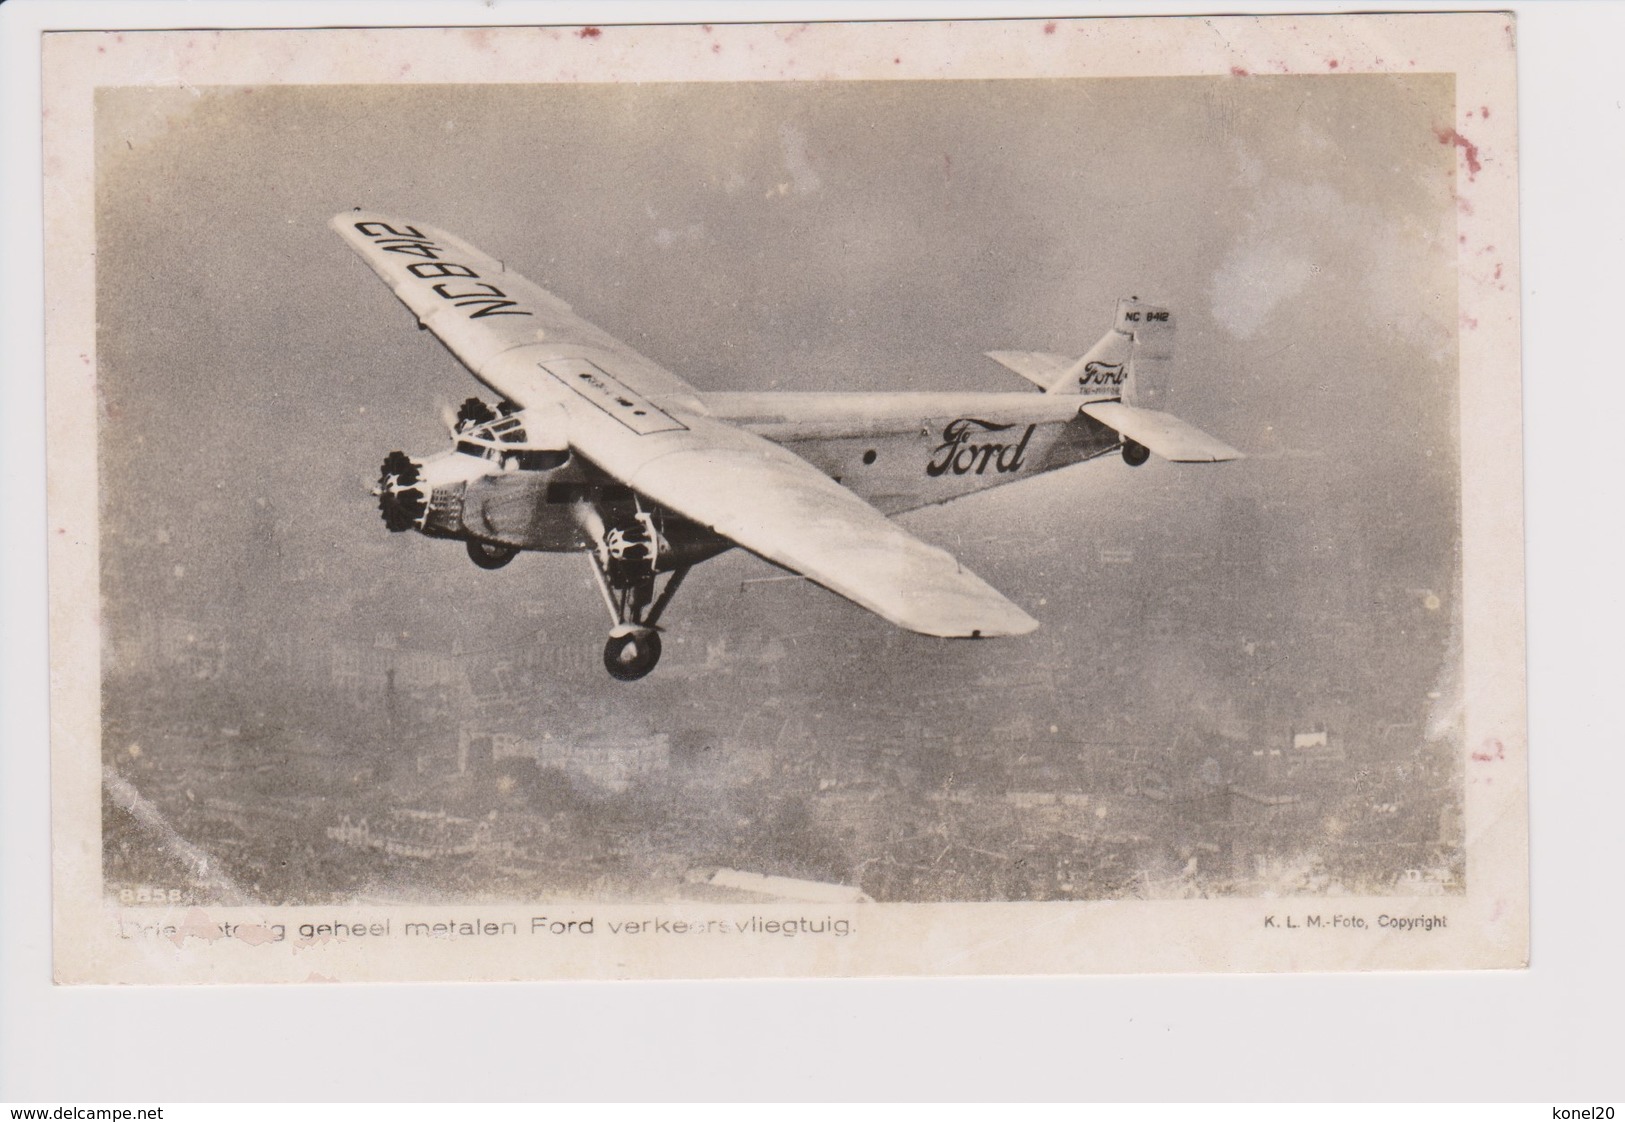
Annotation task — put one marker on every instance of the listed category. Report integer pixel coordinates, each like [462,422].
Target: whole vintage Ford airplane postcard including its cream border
[1028,497]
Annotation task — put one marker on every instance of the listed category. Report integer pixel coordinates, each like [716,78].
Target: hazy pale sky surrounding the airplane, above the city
[782,237]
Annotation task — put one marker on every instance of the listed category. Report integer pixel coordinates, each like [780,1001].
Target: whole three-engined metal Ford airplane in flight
[597,450]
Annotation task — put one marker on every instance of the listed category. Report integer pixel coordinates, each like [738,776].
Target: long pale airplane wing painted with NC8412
[649,430]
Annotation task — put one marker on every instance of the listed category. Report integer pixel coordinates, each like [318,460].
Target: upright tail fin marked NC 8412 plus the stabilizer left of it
[1140,344]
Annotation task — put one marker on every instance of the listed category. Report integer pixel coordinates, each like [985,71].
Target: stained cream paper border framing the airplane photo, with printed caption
[1488,928]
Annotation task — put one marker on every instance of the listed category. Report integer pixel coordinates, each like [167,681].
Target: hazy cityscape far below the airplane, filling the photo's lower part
[1198,741]
